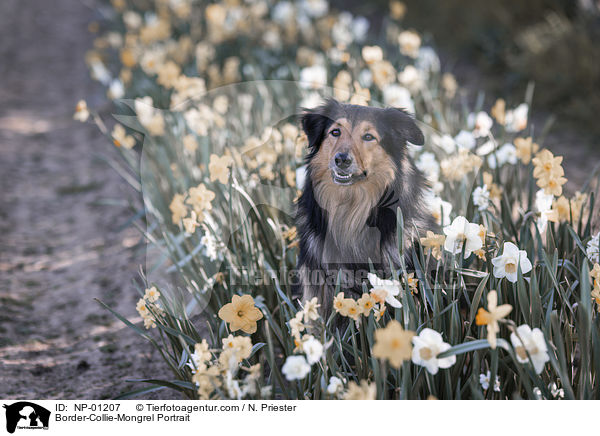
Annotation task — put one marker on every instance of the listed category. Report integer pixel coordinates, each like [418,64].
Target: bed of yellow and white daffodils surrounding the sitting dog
[209,94]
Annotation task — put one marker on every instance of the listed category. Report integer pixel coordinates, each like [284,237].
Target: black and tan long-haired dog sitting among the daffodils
[358,173]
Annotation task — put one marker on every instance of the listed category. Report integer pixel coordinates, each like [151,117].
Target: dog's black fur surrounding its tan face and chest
[396,127]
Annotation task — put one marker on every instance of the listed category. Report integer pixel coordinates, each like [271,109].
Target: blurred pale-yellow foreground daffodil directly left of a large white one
[393,343]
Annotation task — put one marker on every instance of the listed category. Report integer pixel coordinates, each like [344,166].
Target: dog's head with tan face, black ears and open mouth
[351,145]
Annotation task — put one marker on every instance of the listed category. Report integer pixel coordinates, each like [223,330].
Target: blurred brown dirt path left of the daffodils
[59,248]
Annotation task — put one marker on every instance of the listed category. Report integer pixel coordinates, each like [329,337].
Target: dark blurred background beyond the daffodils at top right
[501,46]
